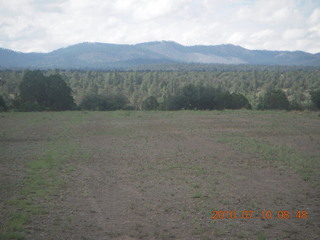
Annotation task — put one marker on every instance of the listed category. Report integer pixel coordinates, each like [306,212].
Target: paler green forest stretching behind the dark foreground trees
[137,86]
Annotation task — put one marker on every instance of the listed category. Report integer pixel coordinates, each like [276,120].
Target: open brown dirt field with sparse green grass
[159,175]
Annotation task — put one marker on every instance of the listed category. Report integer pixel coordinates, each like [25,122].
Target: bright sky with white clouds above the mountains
[46,25]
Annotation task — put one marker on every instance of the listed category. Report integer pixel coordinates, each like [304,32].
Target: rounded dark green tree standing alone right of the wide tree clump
[274,99]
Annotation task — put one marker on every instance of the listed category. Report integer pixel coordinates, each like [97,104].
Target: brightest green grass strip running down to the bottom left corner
[42,180]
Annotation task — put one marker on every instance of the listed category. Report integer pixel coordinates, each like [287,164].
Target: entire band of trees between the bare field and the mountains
[66,90]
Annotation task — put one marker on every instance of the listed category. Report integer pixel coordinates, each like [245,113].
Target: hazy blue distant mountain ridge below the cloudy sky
[106,56]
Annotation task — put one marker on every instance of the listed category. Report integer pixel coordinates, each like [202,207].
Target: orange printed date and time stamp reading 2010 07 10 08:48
[250,214]
